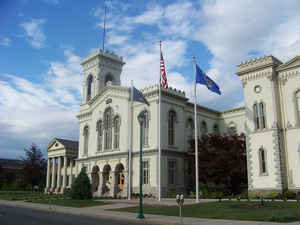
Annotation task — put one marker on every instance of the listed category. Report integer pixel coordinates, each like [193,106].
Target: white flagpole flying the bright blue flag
[196,132]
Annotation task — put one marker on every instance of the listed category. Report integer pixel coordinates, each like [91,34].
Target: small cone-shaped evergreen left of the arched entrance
[81,187]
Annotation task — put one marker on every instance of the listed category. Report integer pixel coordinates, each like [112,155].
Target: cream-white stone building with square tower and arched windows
[270,121]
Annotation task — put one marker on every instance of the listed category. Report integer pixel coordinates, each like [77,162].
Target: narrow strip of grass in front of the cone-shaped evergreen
[70,202]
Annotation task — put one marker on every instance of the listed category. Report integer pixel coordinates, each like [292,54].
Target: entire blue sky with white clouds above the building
[42,43]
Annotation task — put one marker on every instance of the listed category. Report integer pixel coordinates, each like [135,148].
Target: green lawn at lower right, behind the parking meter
[272,211]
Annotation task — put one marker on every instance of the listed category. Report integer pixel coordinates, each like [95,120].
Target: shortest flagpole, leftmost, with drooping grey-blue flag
[130,141]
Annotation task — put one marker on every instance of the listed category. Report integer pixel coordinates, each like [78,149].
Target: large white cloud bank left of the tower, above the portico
[37,112]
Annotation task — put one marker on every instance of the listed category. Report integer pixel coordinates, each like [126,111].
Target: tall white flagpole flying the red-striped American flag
[159,127]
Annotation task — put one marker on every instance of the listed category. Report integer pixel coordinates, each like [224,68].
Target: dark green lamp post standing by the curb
[141,118]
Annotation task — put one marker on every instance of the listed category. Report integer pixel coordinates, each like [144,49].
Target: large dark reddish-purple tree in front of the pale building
[222,160]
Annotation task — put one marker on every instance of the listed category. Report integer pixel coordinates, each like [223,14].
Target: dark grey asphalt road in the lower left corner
[24,216]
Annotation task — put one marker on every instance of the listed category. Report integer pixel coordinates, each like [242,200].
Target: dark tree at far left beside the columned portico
[34,166]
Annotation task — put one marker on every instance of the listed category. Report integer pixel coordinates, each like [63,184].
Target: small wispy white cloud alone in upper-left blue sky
[35,33]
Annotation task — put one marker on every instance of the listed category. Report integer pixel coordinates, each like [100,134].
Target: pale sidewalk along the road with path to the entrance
[100,212]
